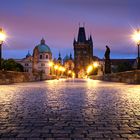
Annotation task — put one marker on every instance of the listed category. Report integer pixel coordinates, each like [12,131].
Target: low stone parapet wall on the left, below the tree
[8,77]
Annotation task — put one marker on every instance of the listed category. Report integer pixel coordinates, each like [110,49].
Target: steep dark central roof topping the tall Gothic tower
[81,35]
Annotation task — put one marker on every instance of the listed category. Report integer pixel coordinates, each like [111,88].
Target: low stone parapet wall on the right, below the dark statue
[132,77]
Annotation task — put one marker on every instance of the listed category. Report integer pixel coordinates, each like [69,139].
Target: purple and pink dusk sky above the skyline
[110,22]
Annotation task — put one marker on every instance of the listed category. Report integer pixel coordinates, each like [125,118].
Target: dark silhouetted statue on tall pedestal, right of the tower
[107,61]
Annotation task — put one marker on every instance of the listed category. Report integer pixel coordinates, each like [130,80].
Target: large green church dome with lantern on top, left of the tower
[43,48]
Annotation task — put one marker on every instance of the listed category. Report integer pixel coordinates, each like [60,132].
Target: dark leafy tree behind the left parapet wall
[11,65]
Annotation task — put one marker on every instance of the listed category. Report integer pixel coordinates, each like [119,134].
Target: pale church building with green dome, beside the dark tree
[39,61]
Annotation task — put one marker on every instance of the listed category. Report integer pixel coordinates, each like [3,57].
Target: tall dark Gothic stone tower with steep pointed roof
[83,52]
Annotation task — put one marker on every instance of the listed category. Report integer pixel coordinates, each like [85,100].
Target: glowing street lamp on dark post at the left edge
[2,39]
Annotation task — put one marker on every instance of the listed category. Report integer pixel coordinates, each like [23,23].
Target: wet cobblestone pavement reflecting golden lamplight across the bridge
[70,110]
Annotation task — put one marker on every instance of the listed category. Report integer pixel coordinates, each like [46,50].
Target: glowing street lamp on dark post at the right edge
[136,38]
